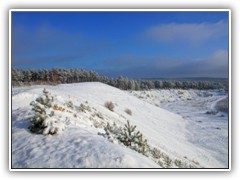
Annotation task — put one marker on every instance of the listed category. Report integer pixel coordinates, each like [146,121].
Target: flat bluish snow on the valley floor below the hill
[207,131]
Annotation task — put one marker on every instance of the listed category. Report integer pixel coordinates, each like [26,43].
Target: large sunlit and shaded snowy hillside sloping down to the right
[81,109]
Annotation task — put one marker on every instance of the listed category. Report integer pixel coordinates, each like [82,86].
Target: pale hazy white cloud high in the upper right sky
[191,32]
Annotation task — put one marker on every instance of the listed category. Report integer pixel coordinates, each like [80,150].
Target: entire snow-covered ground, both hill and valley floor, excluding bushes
[183,125]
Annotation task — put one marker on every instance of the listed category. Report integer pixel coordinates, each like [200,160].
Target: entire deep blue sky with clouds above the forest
[132,44]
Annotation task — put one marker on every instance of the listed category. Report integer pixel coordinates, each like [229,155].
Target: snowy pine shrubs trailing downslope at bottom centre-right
[129,137]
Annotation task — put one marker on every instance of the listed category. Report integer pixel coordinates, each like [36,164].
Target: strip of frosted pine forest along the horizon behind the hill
[56,76]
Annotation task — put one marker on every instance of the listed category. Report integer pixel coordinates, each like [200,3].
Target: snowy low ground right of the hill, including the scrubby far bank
[206,125]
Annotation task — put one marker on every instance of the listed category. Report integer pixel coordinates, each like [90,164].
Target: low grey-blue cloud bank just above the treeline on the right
[215,65]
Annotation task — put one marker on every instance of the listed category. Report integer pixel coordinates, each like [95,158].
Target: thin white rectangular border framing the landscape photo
[121,10]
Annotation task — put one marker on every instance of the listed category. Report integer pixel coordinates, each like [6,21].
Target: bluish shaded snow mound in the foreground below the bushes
[75,148]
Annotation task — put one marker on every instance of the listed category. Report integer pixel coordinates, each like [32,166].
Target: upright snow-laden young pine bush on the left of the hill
[44,120]
